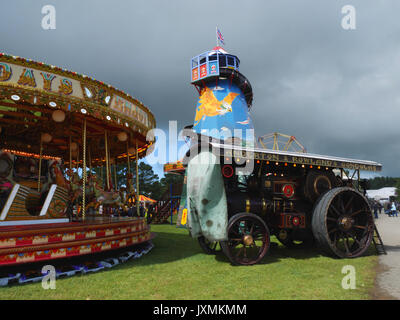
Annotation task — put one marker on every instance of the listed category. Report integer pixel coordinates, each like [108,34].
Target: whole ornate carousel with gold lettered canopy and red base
[68,144]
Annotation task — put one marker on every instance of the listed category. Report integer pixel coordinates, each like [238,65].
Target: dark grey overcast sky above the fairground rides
[336,90]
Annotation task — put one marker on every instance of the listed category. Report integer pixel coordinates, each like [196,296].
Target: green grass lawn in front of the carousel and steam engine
[176,268]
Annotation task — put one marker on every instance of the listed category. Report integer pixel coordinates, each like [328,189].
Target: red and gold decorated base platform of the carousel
[28,243]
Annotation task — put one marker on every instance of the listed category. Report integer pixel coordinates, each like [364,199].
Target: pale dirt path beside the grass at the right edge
[388,280]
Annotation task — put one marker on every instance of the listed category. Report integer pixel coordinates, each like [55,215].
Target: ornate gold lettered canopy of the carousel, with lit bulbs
[44,102]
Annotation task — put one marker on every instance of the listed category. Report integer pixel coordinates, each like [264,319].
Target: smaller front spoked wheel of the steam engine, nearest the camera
[248,239]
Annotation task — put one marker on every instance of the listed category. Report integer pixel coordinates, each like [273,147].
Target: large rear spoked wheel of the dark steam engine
[342,222]
